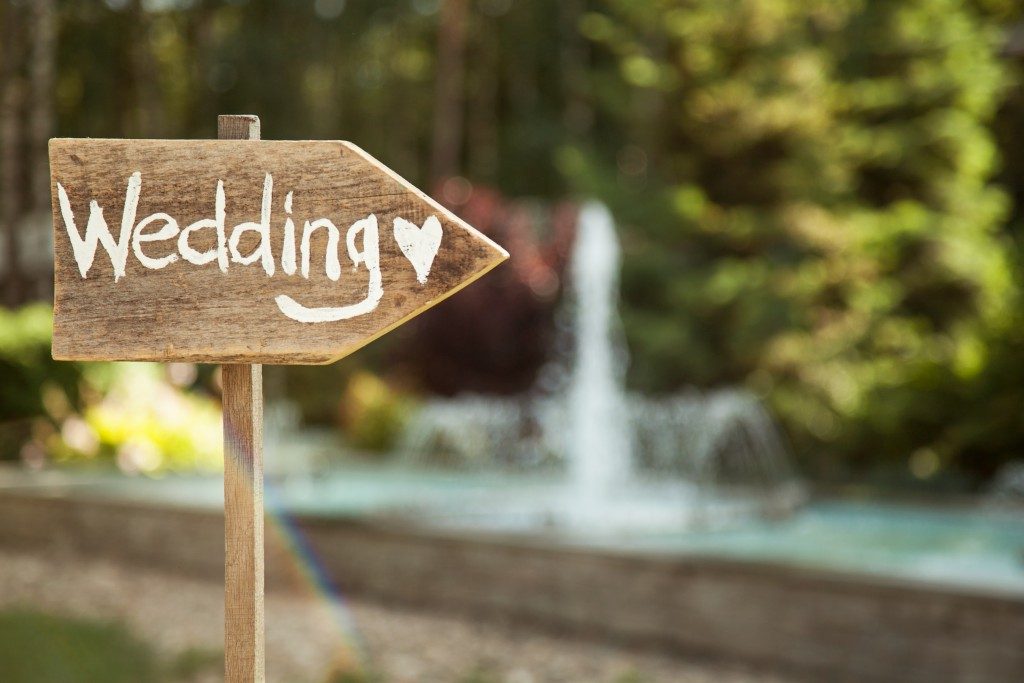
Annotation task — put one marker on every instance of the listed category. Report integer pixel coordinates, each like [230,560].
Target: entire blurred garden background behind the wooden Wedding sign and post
[747,403]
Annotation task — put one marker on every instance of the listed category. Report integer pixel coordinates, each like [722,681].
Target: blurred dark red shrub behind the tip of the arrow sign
[498,333]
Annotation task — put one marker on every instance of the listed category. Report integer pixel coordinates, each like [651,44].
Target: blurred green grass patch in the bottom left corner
[42,649]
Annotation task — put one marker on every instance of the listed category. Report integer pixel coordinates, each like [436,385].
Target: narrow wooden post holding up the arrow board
[243,406]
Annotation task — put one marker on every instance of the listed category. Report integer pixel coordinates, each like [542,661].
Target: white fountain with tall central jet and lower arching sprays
[633,463]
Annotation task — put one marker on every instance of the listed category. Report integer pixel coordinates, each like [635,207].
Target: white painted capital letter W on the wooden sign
[97,230]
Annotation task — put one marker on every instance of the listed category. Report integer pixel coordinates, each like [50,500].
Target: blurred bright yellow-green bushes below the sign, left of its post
[126,414]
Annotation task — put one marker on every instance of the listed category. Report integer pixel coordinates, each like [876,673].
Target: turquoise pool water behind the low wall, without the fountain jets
[970,546]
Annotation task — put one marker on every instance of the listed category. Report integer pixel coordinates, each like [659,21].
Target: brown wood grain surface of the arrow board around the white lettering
[200,314]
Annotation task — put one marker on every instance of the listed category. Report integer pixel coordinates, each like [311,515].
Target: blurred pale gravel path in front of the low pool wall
[306,641]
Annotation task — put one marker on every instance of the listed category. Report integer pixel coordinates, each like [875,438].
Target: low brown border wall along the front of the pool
[826,626]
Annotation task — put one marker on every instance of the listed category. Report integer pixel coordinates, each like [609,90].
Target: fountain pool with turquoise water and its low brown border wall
[837,590]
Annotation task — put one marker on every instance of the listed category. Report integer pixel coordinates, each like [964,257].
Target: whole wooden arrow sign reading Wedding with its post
[243,252]
